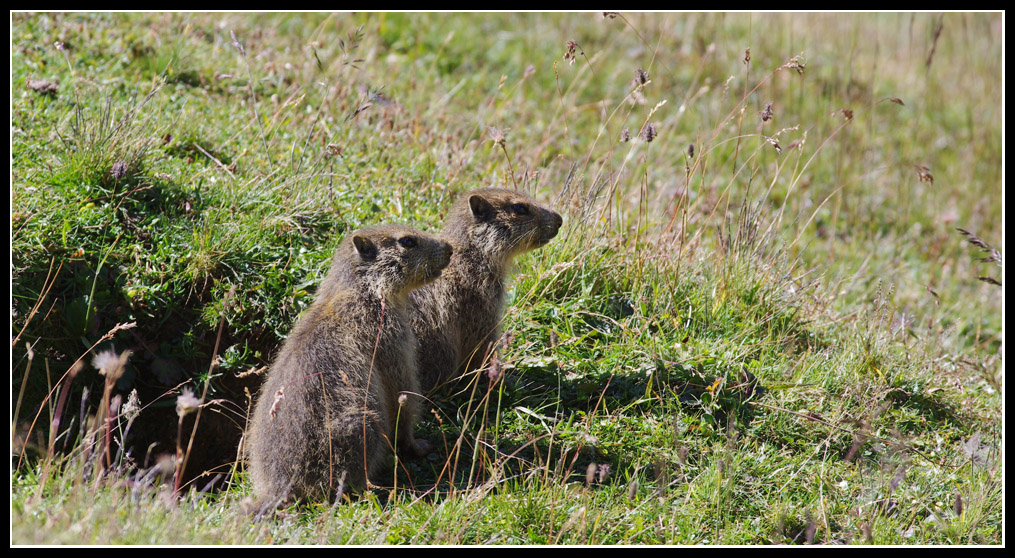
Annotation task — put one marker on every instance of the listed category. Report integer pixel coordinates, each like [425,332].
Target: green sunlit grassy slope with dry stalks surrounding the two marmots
[760,325]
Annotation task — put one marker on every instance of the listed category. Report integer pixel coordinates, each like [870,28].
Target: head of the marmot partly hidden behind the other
[503,224]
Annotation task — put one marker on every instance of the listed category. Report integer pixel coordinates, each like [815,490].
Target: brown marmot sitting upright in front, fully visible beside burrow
[345,384]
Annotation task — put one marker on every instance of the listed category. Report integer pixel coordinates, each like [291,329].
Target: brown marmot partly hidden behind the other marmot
[456,318]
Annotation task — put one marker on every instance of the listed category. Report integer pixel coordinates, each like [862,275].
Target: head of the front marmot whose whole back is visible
[393,260]
